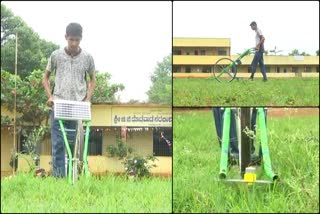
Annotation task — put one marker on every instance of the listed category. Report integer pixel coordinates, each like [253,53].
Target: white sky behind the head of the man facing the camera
[126,39]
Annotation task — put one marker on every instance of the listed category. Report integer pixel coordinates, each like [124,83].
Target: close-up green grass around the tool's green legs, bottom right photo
[294,152]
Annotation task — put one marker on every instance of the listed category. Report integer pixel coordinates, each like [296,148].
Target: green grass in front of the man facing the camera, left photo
[110,194]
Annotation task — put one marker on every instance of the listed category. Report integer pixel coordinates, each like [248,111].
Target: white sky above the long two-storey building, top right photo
[286,25]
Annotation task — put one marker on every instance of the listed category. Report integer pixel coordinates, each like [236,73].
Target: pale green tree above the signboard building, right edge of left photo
[161,88]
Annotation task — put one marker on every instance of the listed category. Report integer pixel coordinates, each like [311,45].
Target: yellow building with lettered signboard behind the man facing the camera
[137,124]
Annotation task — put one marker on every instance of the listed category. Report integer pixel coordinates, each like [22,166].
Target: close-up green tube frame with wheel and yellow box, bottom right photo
[247,172]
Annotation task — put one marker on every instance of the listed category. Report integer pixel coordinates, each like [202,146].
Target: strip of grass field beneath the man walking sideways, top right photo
[275,92]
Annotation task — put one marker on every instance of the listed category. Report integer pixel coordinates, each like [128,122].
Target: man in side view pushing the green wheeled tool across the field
[258,56]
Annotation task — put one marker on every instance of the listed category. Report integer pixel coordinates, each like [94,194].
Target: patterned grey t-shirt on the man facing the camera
[70,83]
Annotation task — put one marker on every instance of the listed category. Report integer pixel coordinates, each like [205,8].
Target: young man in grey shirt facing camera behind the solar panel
[70,67]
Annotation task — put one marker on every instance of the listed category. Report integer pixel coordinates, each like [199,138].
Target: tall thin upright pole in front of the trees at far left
[15,106]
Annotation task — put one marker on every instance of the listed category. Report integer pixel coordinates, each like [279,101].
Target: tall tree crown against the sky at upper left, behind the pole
[33,52]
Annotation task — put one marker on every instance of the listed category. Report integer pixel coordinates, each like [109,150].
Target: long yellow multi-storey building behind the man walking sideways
[187,62]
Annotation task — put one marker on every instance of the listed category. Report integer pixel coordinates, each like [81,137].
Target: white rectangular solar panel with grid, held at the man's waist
[72,110]
